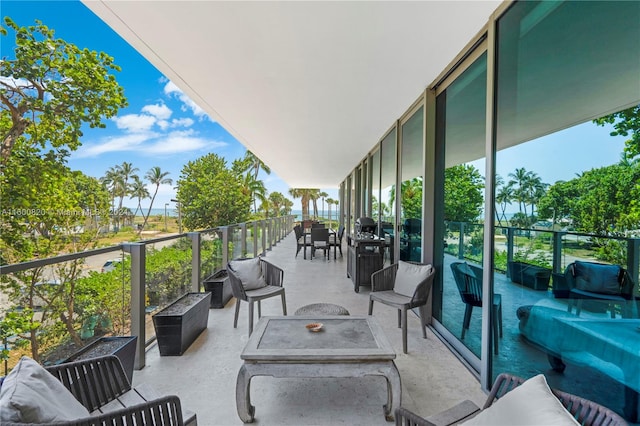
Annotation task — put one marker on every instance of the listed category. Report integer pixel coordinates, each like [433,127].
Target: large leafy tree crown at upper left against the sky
[51,88]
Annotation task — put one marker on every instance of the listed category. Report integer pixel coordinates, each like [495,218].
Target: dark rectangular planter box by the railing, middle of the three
[180,323]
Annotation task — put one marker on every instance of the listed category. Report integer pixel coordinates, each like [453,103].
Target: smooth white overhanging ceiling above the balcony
[309,87]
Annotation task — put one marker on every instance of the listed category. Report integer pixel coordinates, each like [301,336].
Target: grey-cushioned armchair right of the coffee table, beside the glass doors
[404,286]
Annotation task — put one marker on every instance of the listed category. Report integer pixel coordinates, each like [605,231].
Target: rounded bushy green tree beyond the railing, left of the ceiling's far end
[210,194]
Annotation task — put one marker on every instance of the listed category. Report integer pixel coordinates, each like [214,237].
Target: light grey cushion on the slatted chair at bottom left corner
[30,394]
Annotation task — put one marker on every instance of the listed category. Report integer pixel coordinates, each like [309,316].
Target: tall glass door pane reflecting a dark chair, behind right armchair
[461,116]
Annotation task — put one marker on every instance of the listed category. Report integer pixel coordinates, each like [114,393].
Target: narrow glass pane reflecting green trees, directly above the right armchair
[411,187]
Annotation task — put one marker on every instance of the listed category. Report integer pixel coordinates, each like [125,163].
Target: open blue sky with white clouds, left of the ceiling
[160,127]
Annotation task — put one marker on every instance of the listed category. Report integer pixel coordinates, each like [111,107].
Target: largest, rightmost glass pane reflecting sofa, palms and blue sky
[567,176]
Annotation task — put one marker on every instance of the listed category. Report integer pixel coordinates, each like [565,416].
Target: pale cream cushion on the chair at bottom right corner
[531,403]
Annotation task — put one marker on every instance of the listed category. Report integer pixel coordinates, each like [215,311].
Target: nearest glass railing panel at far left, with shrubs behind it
[49,312]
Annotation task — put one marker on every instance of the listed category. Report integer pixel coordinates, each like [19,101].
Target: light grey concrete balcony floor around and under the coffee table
[204,377]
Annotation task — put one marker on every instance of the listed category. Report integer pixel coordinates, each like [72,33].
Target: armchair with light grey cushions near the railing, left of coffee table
[253,280]
